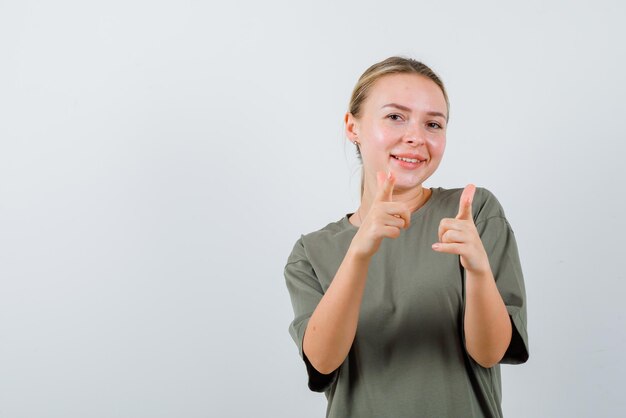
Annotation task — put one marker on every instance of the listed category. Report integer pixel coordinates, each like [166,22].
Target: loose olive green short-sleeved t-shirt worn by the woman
[408,358]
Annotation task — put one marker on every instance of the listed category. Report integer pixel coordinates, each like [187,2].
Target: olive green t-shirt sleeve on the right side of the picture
[499,241]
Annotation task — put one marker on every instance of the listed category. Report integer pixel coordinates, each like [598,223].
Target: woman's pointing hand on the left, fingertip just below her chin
[385,219]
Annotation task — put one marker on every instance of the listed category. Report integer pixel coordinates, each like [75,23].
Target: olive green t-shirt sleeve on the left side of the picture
[305,292]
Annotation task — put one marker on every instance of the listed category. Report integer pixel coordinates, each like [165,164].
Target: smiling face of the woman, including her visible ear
[402,126]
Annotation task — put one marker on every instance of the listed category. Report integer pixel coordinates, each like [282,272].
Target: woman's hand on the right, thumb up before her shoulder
[459,236]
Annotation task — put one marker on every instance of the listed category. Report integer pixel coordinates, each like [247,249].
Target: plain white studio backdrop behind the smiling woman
[158,160]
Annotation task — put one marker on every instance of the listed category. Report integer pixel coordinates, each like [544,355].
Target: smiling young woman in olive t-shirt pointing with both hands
[417,324]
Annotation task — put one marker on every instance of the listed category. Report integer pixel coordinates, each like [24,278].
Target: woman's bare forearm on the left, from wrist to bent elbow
[332,327]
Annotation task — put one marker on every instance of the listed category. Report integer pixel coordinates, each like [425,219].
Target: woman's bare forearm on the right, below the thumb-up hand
[487,324]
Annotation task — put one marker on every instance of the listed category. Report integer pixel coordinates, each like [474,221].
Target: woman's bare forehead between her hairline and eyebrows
[411,90]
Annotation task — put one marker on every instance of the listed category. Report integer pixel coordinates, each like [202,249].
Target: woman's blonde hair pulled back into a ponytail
[392,65]
